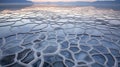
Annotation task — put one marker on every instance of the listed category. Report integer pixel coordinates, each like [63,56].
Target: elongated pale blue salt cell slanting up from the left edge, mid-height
[11,44]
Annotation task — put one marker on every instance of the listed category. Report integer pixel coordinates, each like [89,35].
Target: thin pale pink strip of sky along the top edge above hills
[68,0]
